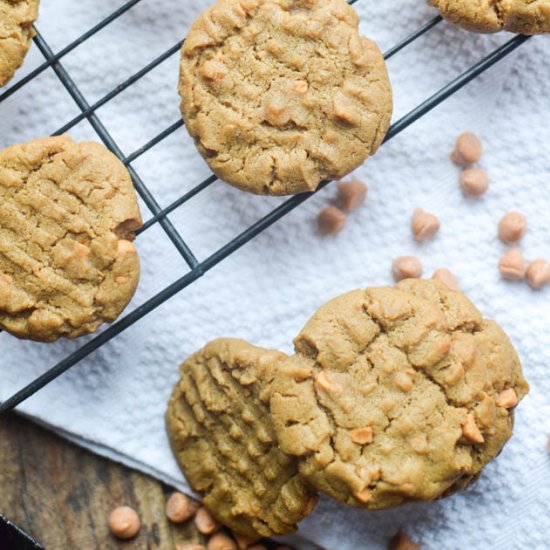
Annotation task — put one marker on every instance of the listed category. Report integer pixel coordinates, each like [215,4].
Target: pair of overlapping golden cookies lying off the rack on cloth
[393,395]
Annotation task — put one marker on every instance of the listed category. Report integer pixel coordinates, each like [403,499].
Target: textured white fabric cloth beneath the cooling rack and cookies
[114,401]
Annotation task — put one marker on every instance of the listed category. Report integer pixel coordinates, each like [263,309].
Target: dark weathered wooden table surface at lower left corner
[62,495]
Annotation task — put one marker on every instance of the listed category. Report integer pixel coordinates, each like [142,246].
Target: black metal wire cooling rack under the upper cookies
[198,269]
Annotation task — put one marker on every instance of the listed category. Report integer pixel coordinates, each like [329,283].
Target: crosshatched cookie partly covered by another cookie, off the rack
[220,431]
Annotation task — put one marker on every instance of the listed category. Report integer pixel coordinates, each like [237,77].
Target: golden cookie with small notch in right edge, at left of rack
[67,215]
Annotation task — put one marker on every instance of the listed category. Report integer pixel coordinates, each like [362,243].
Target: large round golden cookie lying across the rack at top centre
[282,94]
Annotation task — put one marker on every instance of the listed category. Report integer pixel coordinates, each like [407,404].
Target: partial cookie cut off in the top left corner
[16,20]
